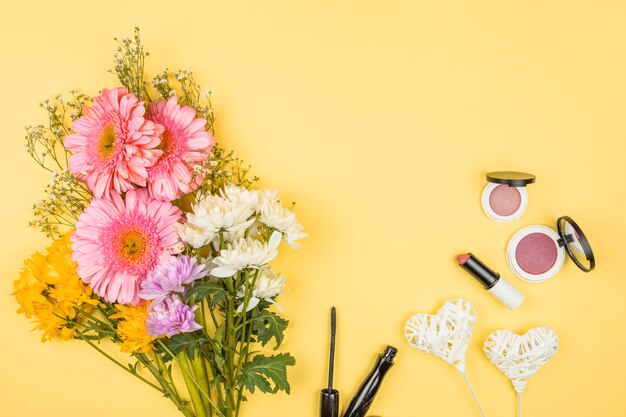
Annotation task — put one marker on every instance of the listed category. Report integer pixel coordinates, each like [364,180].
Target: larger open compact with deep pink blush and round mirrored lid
[536,253]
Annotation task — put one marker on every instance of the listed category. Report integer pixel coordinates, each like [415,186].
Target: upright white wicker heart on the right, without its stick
[520,357]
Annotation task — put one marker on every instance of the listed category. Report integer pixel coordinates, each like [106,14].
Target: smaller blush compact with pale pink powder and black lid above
[504,199]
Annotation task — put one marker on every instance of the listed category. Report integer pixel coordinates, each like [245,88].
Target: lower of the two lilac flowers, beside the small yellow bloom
[170,316]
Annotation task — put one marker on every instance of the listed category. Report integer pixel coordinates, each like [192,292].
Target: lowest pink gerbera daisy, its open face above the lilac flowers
[117,242]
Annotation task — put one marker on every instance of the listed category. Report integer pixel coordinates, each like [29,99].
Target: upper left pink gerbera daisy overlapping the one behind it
[113,144]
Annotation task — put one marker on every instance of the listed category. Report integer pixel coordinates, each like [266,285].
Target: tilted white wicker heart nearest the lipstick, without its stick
[445,334]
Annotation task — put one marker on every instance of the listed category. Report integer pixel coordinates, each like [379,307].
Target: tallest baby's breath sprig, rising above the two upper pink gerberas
[130,64]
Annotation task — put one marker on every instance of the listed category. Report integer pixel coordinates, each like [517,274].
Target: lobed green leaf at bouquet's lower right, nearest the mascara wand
[263,371]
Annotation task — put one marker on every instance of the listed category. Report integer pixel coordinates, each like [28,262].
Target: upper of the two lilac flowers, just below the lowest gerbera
[171,277]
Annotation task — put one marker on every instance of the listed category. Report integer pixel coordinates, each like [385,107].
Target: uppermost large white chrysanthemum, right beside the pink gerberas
[215,213]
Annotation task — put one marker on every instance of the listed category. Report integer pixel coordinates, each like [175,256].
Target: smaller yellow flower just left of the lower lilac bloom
[132,328]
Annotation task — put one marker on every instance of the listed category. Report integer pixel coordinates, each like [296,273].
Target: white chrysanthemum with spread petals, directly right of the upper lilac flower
[245,253]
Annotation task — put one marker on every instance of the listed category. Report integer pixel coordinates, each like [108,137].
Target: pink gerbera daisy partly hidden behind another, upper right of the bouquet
[185,142]
